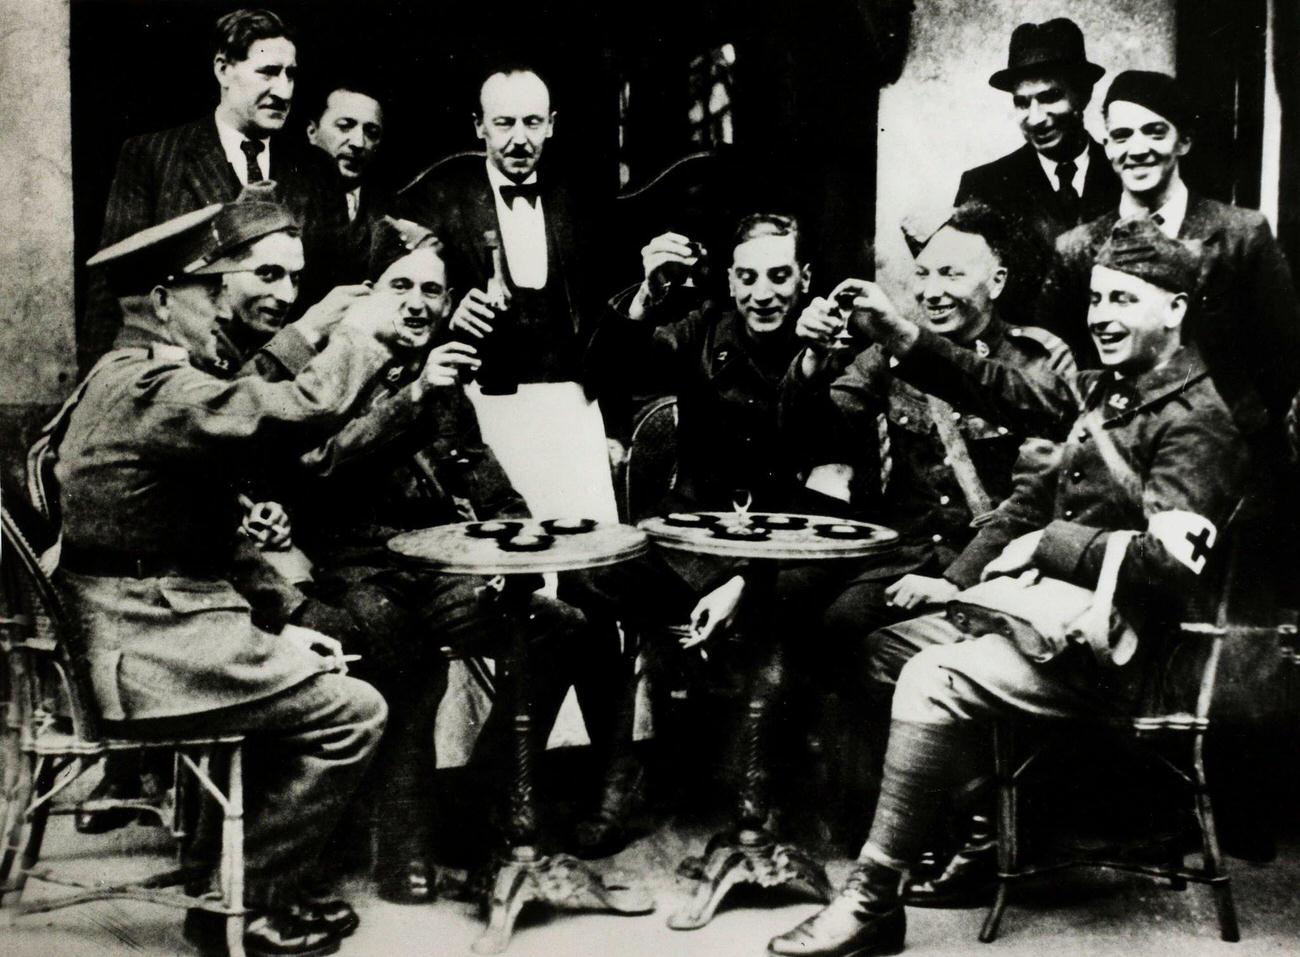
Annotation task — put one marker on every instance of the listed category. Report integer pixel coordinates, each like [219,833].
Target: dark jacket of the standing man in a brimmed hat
[1017,187]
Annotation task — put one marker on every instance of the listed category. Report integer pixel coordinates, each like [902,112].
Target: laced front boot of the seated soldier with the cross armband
[865,920]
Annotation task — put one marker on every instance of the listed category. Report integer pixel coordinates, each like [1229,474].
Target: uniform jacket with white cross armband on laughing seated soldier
[1171,466]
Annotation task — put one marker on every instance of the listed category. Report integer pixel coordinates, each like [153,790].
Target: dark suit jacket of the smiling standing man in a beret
[1245,318]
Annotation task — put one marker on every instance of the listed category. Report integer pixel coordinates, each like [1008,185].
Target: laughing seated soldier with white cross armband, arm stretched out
[1150,471]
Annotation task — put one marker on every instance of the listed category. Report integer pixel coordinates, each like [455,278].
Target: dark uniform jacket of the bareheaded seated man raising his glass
[727,388]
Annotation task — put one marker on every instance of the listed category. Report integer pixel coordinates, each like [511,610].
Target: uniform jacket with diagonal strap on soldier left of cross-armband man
[842,421]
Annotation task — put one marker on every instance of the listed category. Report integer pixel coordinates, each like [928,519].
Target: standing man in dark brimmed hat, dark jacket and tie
[1060,177]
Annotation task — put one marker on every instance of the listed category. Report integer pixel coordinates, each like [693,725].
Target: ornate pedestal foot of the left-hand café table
[560,882]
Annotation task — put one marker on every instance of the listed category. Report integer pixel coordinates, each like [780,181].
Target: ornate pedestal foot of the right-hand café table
[749,858]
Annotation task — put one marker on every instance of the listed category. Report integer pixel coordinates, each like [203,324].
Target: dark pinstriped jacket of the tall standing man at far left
[164,175]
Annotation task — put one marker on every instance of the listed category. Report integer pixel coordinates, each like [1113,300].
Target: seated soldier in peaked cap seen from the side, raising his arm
[150,449]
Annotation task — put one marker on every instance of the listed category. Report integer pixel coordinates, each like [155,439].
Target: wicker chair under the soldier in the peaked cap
[54,734]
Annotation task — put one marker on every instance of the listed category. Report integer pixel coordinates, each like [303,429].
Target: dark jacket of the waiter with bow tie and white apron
[456,201]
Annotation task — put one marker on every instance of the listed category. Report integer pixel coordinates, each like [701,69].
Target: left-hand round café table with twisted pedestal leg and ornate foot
[525,874]
